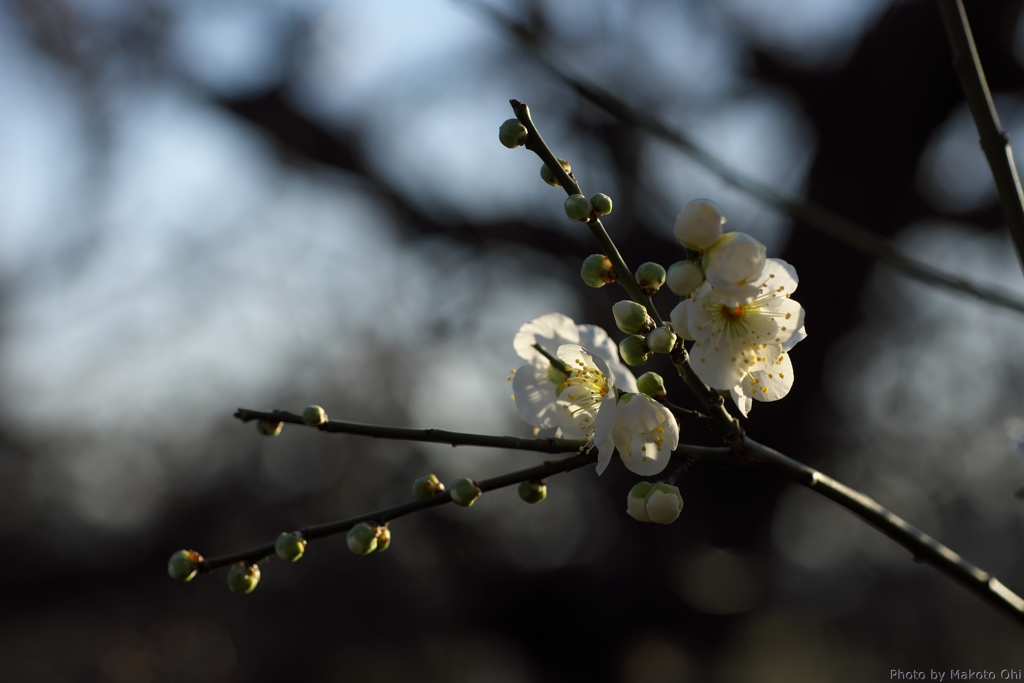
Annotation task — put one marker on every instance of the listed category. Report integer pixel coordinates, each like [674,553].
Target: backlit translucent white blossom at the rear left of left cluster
[537,386]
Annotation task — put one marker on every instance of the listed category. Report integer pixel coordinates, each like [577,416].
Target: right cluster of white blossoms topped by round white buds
[738,310]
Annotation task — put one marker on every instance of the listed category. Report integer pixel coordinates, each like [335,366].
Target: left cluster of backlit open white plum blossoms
[575,386]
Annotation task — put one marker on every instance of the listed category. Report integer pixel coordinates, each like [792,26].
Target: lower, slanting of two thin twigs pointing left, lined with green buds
[381,517]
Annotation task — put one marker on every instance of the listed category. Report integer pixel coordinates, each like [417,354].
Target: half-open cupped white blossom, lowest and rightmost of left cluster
[644,431]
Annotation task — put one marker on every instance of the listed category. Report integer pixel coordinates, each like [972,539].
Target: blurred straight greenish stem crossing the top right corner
[995,141]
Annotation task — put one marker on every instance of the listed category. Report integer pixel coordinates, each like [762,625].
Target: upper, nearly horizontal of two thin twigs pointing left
[429,436]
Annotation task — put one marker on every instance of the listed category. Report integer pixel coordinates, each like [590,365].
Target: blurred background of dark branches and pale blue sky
[209,204]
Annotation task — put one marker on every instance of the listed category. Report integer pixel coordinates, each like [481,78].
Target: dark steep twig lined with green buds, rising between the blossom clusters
[726,424]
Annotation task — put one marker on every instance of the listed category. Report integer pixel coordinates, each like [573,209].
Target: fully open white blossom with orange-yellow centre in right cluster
[744,330]
